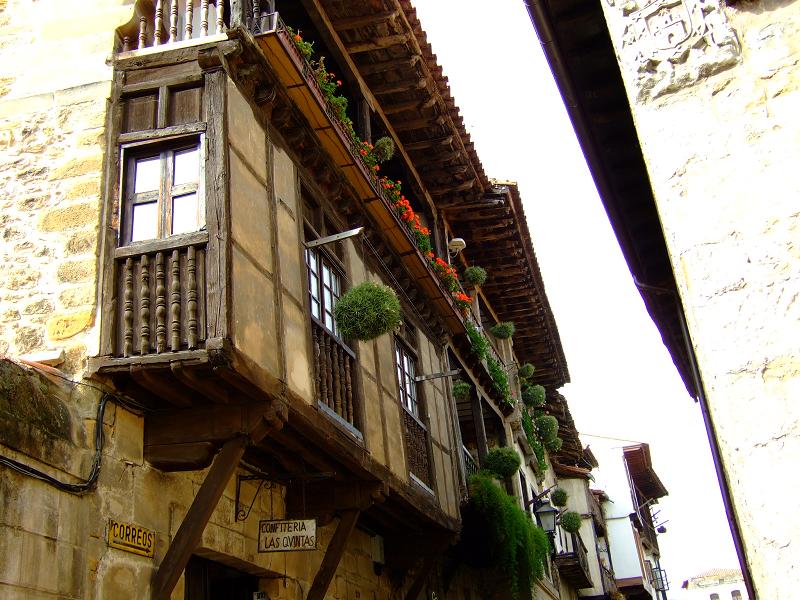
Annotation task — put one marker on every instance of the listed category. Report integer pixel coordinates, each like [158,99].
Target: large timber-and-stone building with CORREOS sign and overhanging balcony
[170,367]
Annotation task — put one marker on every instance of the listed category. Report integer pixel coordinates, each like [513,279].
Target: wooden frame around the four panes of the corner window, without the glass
[164,149]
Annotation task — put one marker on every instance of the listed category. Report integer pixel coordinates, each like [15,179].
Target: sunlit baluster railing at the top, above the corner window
[163,22]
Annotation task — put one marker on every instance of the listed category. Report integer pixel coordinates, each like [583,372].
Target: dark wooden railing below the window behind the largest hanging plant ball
[334,368]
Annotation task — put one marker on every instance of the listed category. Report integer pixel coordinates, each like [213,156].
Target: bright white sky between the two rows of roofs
[623,381]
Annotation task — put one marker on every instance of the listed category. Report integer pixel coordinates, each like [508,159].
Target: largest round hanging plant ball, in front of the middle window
[367,311]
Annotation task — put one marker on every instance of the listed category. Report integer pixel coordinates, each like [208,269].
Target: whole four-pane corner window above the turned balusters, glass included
[162,192]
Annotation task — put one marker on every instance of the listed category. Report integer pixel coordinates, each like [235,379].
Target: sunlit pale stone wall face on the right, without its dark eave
[722,148]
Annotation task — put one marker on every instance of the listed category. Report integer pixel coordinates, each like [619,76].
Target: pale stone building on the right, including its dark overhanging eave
[700,185]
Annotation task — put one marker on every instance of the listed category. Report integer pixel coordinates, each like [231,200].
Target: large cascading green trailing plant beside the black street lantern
[499,531]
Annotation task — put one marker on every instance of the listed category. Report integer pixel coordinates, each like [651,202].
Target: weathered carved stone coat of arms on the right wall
[666,45]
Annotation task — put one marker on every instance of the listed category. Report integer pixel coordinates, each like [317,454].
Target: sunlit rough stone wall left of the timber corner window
[53,95]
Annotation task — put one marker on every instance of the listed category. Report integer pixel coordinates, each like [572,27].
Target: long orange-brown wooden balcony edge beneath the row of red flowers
[297,76]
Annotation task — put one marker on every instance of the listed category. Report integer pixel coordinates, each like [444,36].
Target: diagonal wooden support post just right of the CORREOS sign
[191,530]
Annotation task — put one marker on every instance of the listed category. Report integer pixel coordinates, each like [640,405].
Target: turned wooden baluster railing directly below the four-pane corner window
[161,297]
